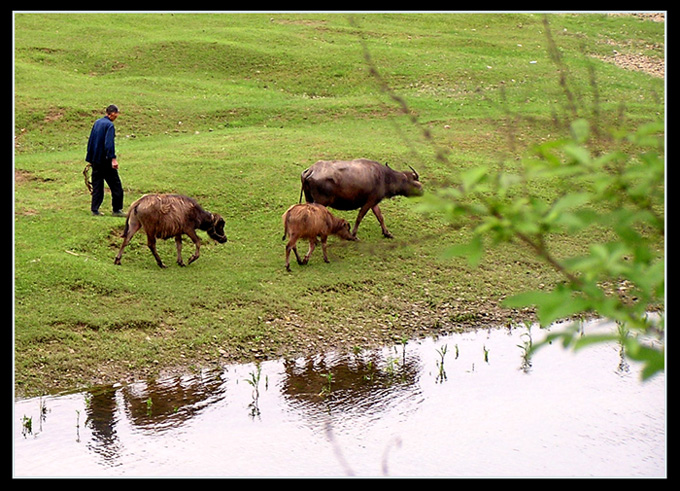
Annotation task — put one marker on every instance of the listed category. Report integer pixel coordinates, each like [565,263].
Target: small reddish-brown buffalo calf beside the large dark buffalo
[309,221]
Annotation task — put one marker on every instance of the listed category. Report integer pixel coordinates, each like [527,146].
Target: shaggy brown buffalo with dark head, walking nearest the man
[170,215]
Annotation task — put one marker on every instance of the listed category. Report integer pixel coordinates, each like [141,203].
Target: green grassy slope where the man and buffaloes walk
[229,109]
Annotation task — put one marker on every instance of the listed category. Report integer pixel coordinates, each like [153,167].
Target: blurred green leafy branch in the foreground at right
[619,192]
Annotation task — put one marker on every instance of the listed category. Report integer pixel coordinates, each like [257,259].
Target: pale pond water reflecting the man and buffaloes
[464,405]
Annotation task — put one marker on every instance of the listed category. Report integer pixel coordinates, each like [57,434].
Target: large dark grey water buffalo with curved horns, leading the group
[357,184]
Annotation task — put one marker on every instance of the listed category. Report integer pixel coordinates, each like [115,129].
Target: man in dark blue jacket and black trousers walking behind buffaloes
[101,154]
